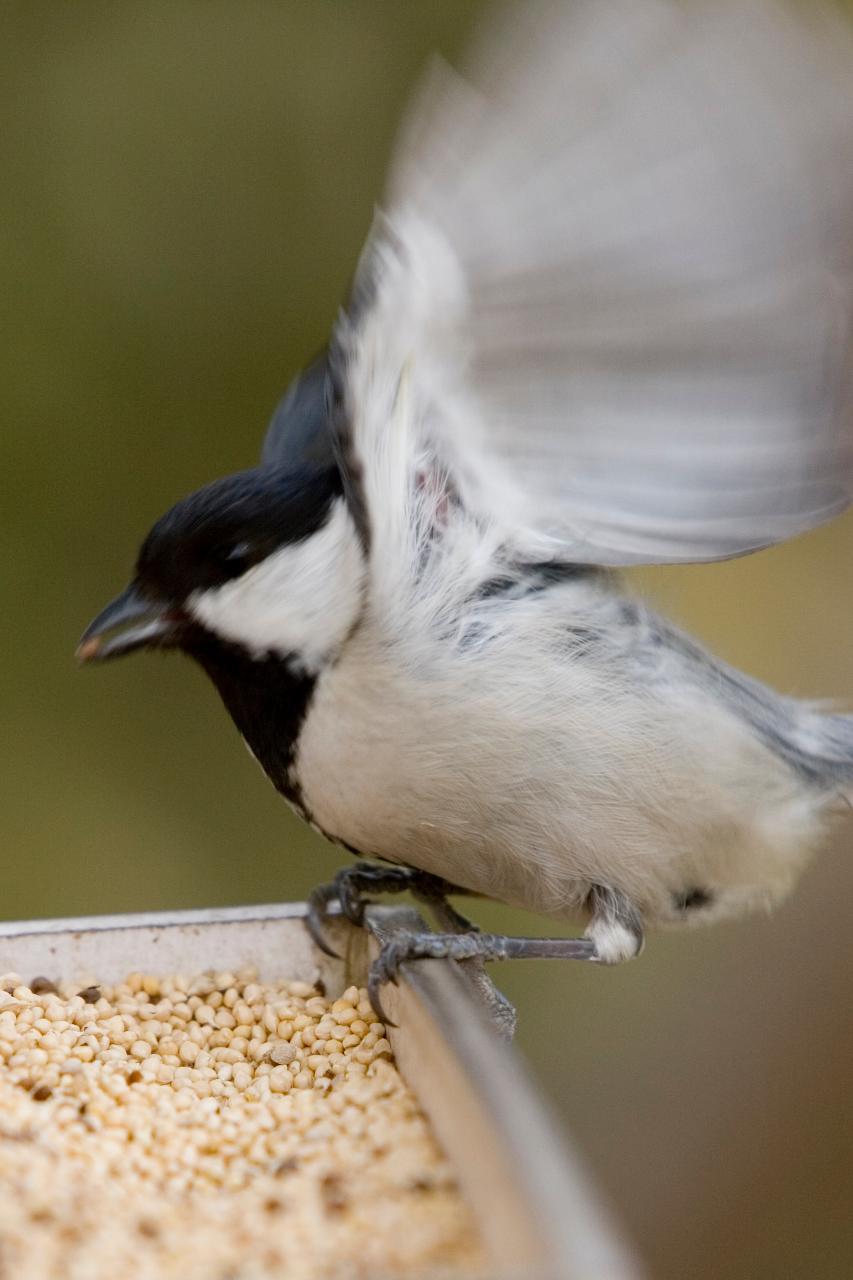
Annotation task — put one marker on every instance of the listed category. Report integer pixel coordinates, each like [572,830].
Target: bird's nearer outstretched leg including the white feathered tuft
[614,934]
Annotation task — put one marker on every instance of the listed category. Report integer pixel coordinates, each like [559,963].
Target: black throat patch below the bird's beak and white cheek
[267,700]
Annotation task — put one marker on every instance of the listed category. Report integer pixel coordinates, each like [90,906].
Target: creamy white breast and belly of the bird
[528,778]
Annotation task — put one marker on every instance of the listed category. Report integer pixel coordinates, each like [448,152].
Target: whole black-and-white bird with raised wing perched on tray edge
[603,319]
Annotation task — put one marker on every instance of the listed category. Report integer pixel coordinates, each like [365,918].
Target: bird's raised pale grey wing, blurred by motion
[613,282]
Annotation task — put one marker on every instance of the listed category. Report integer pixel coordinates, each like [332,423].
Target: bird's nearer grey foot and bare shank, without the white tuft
[467,947]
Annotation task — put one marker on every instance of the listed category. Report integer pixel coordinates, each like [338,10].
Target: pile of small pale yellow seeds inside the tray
[215,1128]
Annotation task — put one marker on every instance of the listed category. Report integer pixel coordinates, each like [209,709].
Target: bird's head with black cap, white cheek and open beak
[267,561]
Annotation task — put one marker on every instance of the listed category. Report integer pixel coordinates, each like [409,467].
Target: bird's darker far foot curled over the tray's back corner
[352,884]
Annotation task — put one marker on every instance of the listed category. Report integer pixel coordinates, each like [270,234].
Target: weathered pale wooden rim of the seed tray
[536,1210]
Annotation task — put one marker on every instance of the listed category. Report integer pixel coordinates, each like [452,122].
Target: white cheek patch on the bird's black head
[302,602]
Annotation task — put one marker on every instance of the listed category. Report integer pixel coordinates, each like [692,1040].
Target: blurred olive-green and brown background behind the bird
[184,193]
